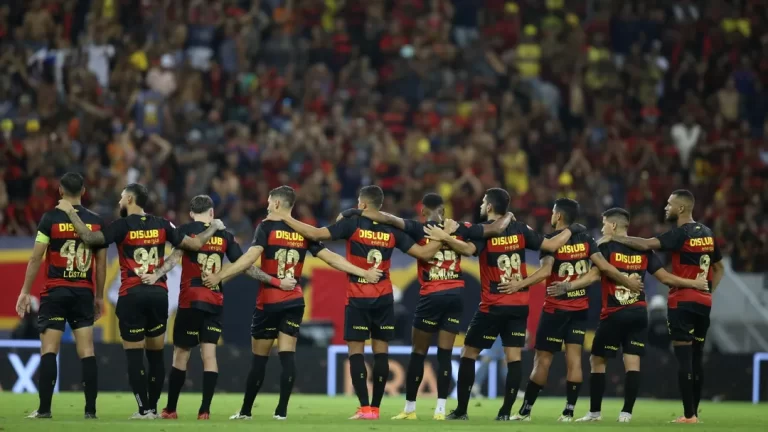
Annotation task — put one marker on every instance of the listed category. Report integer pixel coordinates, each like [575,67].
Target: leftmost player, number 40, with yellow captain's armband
[68,293]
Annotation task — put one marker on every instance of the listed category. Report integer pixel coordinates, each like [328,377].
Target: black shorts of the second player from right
[626,329]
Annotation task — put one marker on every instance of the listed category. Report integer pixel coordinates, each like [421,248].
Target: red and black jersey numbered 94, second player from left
[140,243]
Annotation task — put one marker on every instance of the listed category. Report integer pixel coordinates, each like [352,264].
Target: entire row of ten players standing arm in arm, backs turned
[283,242]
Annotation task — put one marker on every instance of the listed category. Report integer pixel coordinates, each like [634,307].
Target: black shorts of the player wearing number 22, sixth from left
[439,312]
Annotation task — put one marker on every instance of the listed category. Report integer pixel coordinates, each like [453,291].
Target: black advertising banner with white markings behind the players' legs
[729,377]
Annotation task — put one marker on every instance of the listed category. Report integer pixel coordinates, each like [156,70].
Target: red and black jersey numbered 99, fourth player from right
[502,259]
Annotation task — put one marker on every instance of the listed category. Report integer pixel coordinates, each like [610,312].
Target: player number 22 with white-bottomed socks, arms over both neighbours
[440,303]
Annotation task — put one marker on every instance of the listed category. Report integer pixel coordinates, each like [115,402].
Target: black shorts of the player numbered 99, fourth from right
[486,326]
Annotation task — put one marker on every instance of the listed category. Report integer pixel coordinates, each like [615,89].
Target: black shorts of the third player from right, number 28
[558,327]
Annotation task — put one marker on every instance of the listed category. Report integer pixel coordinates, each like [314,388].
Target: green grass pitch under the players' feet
[325,414]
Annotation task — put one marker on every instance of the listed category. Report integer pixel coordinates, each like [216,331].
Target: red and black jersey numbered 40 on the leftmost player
[69,262]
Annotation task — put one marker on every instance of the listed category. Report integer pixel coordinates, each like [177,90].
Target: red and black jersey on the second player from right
[628,261]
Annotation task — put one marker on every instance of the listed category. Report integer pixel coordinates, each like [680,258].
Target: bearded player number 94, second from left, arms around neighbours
[142,310]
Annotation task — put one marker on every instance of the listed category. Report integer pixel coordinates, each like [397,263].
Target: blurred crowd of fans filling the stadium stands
[614,103]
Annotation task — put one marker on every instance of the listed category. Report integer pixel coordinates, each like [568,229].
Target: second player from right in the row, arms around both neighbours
[624,317]
